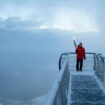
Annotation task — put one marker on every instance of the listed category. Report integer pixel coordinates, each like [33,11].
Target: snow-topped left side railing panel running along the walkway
[58,93]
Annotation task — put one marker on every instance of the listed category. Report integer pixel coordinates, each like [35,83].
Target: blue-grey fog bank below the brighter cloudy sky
[29,60]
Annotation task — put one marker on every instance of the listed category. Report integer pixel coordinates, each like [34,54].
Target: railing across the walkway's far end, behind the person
[89,63]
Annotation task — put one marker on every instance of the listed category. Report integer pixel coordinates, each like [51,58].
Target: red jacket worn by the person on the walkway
[80,53]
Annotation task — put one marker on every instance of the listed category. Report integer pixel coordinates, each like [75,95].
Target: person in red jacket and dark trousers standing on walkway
[80,51]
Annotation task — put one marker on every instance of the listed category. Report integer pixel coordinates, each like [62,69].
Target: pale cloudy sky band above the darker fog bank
[73,15]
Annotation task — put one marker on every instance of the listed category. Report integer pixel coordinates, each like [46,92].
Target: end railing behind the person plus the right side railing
[96,62]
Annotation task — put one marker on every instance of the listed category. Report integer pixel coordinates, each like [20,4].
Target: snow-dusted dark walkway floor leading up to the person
[85,90]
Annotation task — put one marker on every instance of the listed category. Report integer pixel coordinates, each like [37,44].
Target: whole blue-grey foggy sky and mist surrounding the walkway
[34,33]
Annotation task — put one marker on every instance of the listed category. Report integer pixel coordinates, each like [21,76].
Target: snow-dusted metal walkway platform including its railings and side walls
[79,88]
